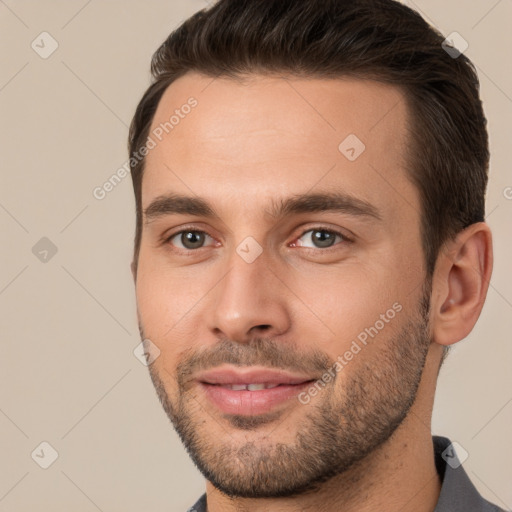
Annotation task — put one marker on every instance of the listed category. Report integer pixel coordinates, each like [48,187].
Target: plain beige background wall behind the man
[68,327]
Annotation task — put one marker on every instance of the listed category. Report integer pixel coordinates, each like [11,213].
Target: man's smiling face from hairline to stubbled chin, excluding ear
[281,276]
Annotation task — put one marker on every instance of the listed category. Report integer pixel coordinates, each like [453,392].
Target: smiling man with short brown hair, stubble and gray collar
[309,180]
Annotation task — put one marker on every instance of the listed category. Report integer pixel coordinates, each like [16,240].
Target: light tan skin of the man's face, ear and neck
[244,145]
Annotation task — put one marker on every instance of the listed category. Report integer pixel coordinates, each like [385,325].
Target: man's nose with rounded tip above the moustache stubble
[249,301]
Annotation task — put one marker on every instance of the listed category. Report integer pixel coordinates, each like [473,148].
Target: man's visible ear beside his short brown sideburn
[461,280]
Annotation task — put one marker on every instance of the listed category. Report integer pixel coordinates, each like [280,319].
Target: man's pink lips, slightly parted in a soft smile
[249,403]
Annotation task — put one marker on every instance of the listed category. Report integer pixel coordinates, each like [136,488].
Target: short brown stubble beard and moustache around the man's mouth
[339,429]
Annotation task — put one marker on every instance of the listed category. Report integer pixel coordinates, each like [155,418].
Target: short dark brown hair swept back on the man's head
[381,40]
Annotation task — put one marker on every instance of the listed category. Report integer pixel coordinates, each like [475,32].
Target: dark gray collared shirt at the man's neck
[458,494]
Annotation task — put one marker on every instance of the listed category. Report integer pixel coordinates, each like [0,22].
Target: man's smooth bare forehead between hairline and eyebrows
[269,137]
